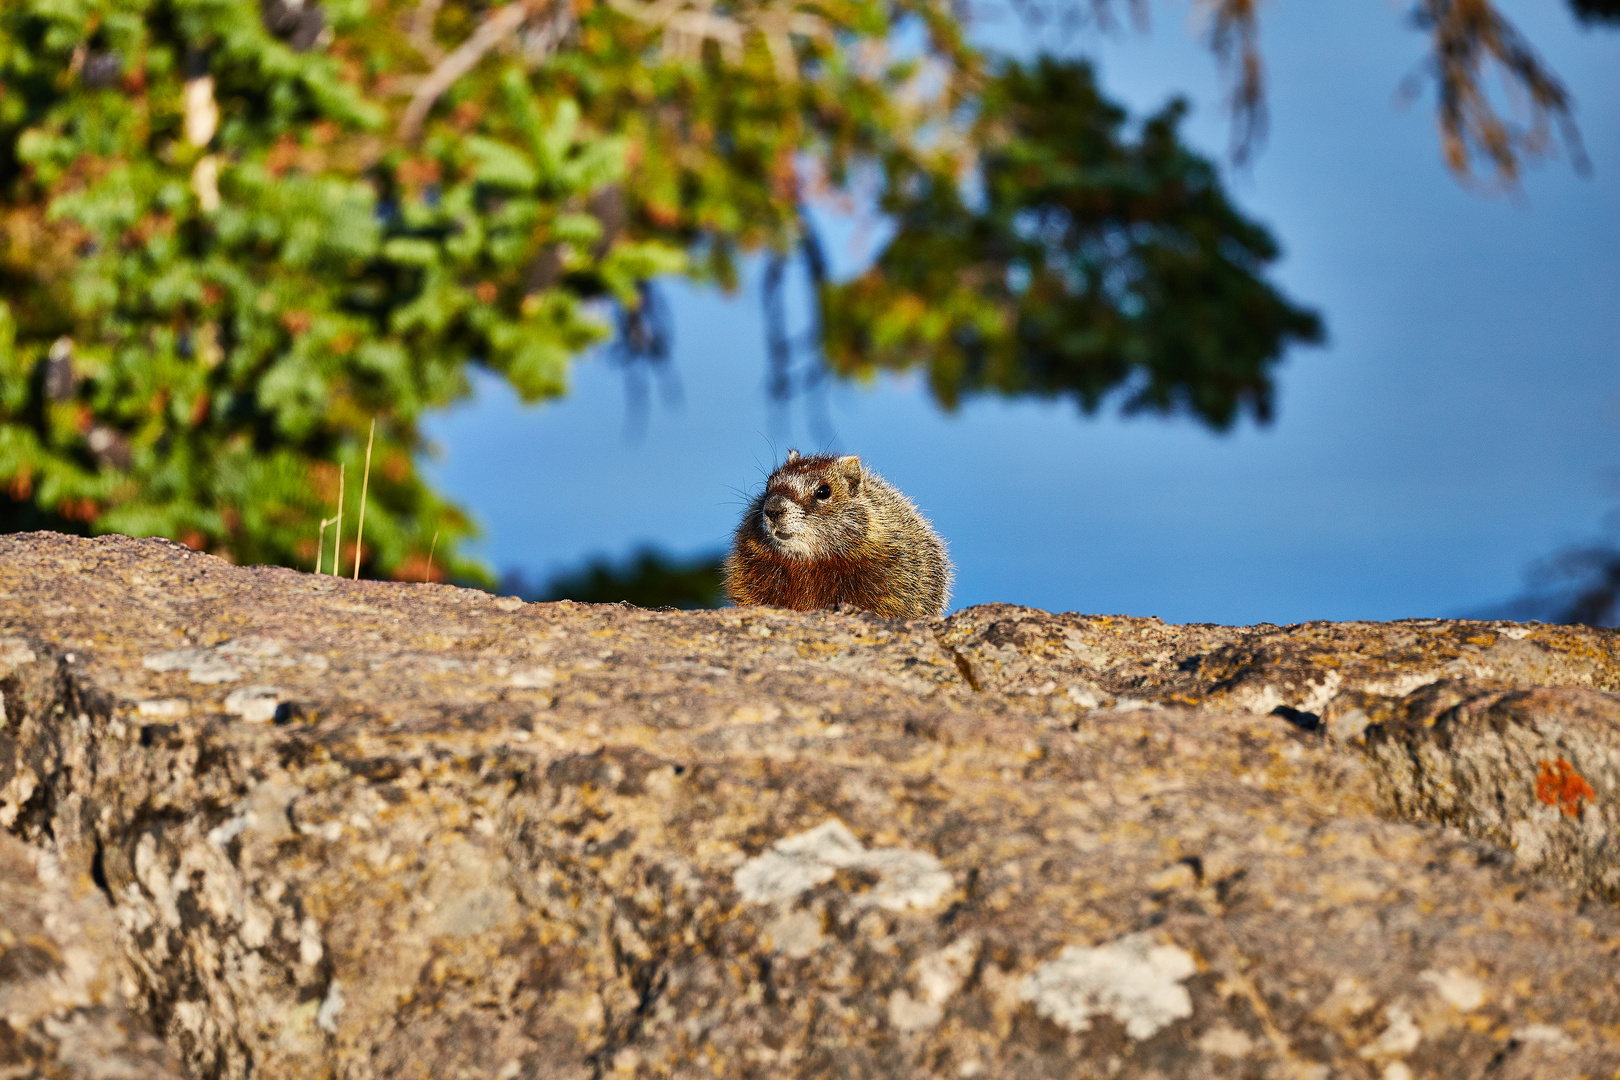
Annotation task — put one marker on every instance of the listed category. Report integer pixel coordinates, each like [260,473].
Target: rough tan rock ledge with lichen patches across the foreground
[278,825]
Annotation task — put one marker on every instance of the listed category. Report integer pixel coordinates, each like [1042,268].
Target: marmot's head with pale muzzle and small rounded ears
[812,508]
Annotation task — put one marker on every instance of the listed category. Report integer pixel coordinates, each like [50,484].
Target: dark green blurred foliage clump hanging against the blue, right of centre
[1083,263]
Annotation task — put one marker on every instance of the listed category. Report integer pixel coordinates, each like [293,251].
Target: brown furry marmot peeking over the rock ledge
[830,532]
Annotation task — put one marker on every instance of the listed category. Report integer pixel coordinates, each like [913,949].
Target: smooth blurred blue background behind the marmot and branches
[1460,423]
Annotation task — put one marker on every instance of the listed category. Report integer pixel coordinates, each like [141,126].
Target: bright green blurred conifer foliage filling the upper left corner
[224,255]
